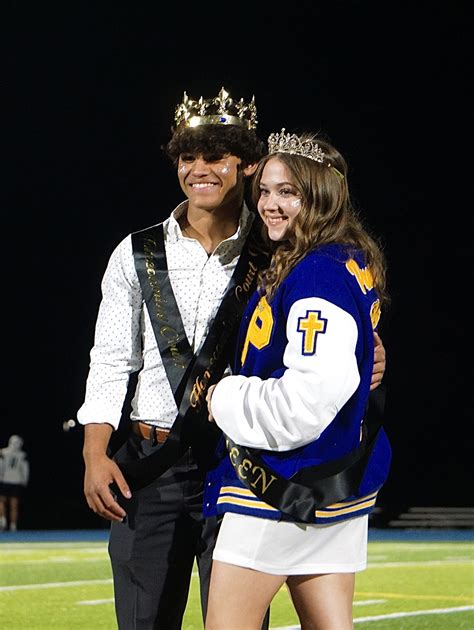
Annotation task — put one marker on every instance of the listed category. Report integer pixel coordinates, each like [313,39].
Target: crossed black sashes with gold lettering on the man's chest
[189,375]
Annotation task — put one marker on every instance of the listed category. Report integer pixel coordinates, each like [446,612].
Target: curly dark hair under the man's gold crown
[215,141]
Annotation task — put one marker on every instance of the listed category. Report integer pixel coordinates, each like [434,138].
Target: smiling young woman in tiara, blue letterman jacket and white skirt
[293,412]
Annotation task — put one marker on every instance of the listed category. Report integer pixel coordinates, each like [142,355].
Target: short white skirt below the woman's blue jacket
[283,548]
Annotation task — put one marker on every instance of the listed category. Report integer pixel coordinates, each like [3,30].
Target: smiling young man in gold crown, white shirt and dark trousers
[172,298]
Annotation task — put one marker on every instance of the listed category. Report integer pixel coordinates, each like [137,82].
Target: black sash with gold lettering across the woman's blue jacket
[313,487]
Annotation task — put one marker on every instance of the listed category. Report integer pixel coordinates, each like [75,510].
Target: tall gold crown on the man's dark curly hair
[220,110]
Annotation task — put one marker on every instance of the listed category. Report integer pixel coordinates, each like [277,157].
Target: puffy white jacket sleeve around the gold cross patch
[284,413]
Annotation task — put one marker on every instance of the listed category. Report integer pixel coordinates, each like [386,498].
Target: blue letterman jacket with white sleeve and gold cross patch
[301,383]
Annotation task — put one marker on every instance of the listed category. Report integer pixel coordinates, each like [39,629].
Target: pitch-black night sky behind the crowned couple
[90,97]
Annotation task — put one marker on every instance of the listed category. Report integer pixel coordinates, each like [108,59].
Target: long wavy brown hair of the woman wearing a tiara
[326,216]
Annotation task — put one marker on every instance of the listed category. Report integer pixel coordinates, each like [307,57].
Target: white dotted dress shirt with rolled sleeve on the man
[124,339]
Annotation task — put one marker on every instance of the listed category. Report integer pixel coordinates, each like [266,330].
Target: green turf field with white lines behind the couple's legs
[67,585]
